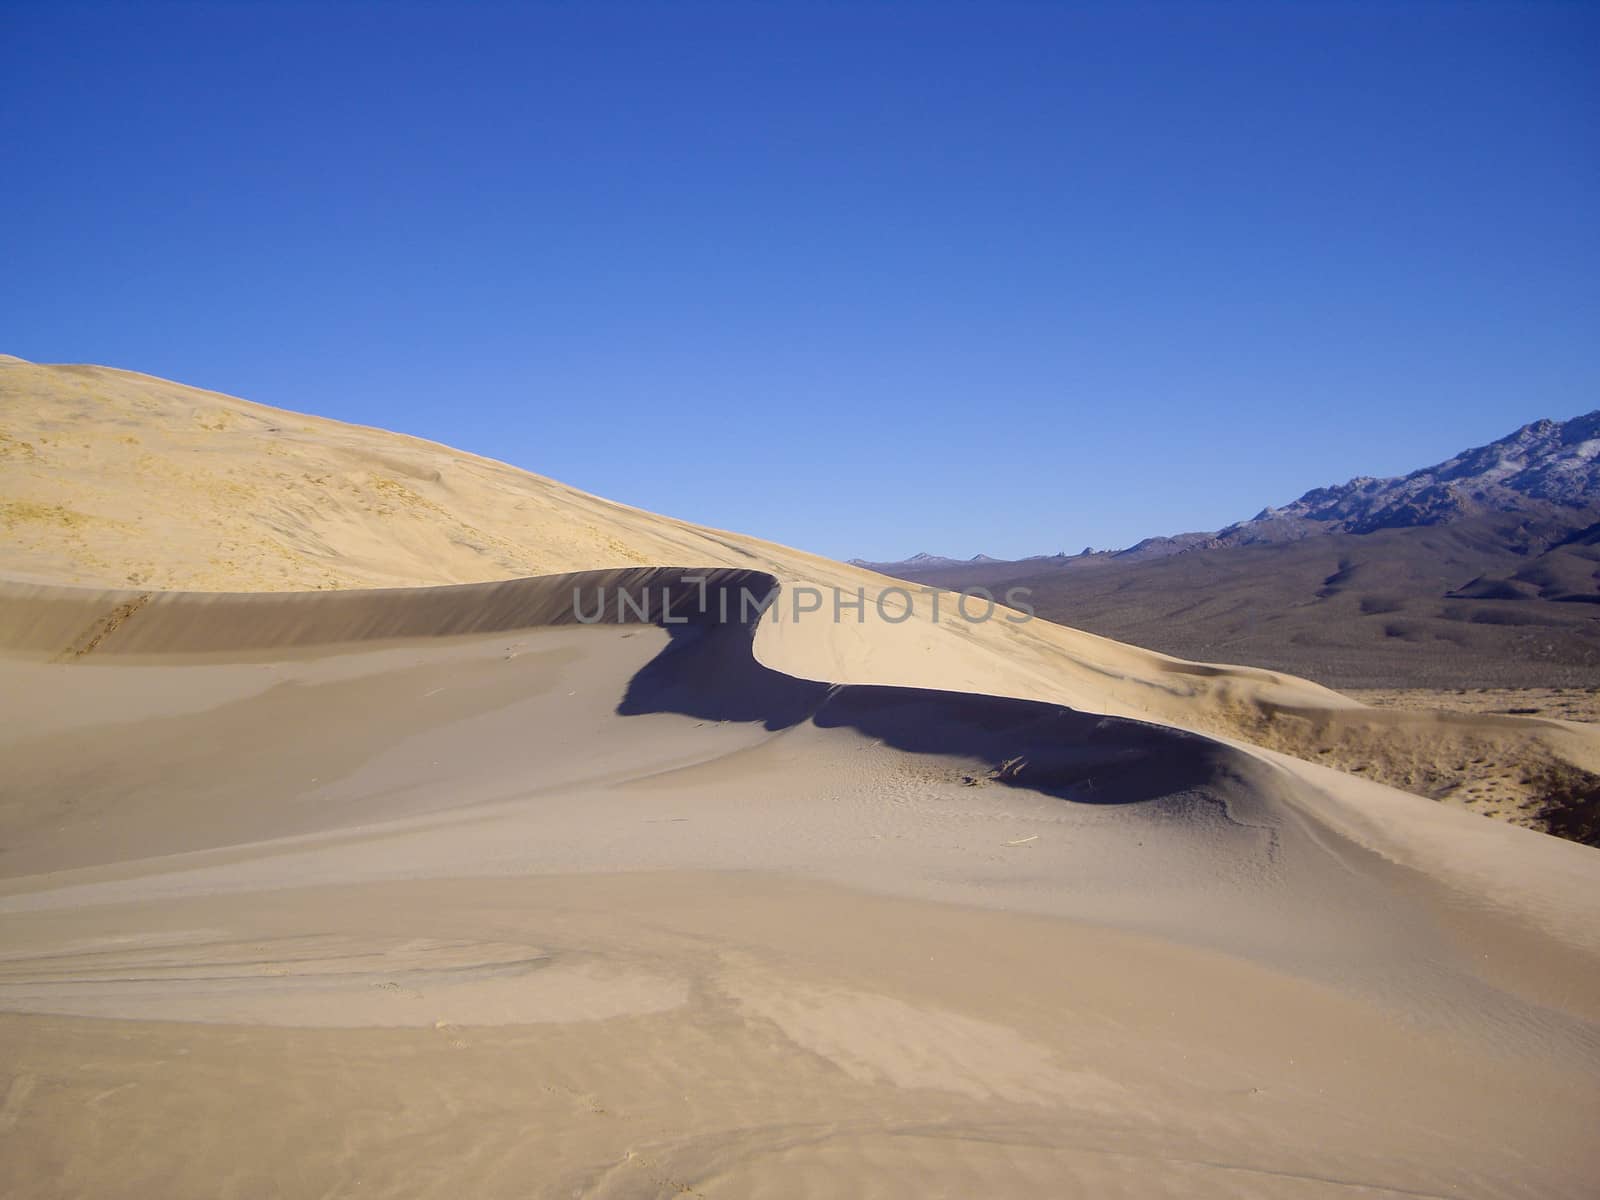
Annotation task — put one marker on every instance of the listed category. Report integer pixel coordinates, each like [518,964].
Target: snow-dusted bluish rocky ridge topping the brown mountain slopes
[1542,470]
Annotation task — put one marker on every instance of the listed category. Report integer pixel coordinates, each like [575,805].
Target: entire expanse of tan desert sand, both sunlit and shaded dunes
[417,884]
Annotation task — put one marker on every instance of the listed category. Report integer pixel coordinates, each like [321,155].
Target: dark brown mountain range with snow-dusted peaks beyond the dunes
[1476,572]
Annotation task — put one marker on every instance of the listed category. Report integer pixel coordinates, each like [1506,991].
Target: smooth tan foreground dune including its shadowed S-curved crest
[884,940]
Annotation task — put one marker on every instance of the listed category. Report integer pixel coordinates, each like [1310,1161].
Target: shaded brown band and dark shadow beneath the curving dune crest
[706,670]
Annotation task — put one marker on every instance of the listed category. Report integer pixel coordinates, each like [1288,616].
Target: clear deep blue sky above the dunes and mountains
[860,278]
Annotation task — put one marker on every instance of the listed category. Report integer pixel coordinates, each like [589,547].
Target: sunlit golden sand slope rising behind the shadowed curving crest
[119,481]
